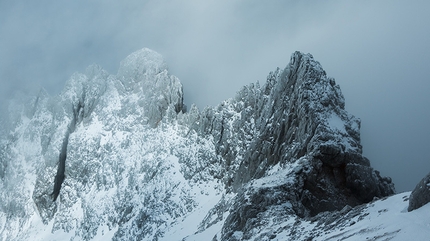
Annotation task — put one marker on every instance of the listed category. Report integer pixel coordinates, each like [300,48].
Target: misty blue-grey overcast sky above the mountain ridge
[378,52]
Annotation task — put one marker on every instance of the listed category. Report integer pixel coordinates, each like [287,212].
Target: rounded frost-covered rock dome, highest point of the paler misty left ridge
[144,75]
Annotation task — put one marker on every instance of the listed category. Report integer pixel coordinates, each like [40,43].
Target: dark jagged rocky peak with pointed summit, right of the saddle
[295,126]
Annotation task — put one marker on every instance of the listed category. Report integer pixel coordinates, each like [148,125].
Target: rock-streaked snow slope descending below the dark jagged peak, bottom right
[384,219]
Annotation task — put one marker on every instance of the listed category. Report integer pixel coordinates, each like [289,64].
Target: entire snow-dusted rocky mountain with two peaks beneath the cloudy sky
[121,157]
